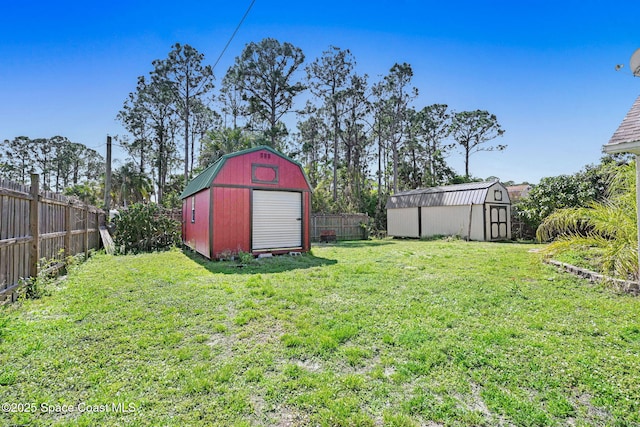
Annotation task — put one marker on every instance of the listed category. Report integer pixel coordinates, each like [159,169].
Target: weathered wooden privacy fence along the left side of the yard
[38,225]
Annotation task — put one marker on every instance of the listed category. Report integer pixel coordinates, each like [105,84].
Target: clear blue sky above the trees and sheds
[545,68]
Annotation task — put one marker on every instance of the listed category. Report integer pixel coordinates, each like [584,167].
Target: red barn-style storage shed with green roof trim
[256,200]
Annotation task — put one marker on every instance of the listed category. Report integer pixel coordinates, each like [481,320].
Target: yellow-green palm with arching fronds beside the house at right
[609,226]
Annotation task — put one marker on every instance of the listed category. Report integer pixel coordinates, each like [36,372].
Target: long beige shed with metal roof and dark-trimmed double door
[474,211]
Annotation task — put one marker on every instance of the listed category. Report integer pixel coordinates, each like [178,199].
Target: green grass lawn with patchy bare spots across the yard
[380,333]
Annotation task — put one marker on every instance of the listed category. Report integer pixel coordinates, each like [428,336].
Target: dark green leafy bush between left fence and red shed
[142,228]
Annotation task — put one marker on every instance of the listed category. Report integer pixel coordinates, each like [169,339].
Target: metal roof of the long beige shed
[473,193]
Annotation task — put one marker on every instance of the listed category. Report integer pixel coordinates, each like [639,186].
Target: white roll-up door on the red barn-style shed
[276,220]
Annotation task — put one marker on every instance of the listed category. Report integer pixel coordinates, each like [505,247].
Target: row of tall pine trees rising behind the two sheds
[358,140]
